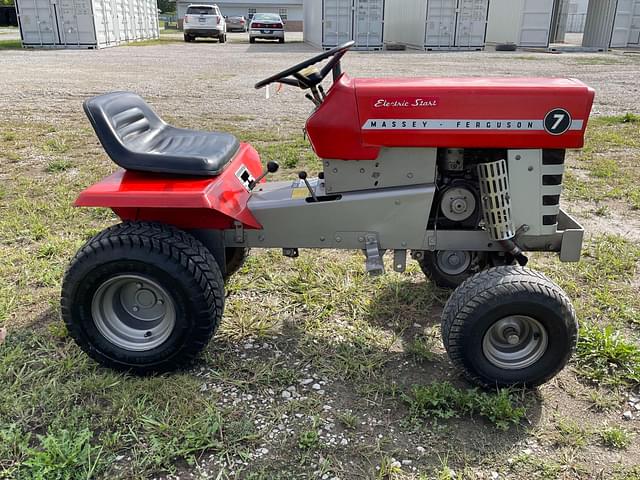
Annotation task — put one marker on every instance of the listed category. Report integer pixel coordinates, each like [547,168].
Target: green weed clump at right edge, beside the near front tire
[604,356]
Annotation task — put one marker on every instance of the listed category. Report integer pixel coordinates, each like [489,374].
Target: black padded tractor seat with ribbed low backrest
[137,139]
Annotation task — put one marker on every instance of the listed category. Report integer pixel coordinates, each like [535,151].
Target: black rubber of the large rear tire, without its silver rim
[171,258]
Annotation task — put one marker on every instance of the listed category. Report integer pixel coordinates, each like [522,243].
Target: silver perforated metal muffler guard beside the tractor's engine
[496,203]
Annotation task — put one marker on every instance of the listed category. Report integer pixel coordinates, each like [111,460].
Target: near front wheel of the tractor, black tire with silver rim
[509,326]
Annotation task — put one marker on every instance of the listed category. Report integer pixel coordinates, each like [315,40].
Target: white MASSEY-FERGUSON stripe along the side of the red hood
[566,123]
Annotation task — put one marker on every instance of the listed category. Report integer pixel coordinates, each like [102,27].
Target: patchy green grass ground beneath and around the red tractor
[368,380]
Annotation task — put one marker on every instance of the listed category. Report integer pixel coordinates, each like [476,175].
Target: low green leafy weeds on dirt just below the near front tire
[443,400]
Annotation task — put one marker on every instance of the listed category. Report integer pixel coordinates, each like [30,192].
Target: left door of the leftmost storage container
[37,22]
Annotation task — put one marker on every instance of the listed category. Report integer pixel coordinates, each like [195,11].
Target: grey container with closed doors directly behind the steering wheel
[328,23]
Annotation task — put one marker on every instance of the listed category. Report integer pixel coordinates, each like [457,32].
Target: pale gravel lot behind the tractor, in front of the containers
[206,80]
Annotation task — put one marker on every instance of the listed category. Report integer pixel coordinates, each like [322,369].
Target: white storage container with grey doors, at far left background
[86,23]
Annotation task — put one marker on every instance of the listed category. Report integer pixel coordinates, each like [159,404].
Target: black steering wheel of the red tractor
[293,75]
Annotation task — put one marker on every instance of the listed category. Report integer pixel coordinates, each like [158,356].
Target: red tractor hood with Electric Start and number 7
[359,116]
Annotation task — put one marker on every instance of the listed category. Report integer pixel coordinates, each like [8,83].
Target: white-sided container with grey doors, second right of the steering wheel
[437,24]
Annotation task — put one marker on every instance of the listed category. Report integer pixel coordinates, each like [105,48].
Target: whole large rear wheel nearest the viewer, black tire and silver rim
[143,297]
